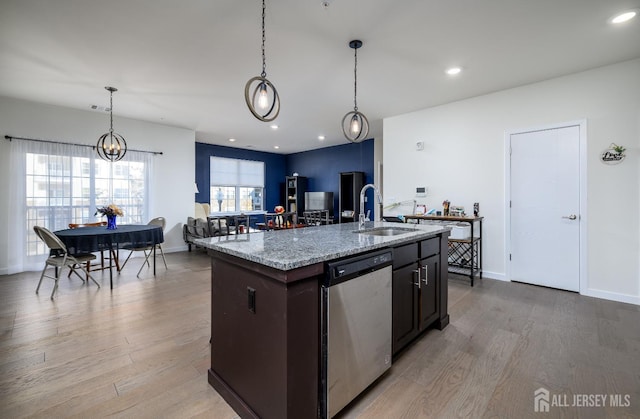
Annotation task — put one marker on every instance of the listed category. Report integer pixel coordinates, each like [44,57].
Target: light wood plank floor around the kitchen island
[142,350]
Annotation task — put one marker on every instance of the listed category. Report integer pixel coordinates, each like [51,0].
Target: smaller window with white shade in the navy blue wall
[236,185]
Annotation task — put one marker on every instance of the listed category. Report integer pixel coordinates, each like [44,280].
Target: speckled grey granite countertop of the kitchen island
[298,247]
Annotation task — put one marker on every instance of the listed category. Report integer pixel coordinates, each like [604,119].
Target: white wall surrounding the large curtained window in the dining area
[172,183]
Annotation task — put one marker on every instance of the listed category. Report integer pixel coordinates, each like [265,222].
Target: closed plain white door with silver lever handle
[545,207]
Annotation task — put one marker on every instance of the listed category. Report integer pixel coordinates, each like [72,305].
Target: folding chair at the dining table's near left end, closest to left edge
[59,257]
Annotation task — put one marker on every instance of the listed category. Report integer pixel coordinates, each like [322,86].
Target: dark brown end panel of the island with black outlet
[264,350]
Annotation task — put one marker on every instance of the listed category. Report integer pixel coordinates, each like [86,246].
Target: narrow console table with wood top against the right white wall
[465,255]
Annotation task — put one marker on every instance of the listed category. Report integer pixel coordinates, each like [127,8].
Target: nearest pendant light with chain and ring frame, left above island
[259,93]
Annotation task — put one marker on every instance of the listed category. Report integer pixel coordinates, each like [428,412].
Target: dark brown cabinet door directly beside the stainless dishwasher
[405,306]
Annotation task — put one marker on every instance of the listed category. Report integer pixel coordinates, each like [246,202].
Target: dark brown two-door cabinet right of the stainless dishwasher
[417,273]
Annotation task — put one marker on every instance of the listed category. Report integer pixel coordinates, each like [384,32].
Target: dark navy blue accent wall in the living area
[322,167]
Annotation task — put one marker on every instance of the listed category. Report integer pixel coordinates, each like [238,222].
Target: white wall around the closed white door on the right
[464,159]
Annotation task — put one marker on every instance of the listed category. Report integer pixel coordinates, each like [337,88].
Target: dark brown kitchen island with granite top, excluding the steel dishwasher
[266,307]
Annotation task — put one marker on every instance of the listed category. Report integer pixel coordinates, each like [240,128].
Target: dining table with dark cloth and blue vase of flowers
[112,237]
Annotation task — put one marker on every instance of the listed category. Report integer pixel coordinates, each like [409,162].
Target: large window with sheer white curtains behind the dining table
[53,185]
